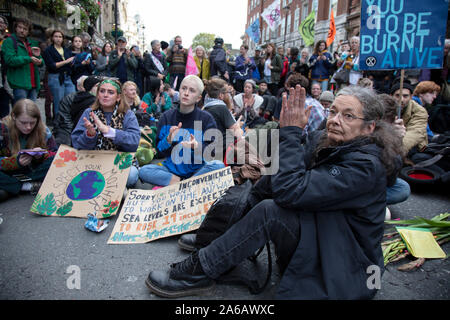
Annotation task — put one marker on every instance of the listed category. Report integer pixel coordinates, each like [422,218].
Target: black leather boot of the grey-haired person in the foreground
[185,278]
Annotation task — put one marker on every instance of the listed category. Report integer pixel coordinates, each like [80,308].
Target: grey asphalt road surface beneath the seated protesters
[58,258]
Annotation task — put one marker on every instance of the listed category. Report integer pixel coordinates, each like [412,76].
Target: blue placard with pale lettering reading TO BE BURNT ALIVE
[400,34]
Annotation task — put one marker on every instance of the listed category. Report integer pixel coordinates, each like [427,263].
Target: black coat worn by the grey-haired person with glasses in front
[341,200]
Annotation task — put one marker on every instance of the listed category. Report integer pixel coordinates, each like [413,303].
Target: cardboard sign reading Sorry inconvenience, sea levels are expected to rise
[148,215]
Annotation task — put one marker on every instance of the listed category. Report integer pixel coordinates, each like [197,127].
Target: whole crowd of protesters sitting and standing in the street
[342,139]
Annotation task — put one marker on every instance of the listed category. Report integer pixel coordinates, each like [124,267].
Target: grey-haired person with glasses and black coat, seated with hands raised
[324,209]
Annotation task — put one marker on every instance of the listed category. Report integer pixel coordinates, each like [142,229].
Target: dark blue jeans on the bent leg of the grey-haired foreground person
[266,221]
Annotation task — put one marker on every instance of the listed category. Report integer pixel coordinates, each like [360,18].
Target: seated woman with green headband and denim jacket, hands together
[108,124]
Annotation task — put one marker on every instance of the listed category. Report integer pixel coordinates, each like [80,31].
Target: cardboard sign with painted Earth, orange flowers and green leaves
[80,182]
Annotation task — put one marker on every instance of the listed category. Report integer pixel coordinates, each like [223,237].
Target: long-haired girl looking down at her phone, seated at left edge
[23,129]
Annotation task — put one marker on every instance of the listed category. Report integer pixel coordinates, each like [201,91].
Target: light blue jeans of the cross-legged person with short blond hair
[161,176]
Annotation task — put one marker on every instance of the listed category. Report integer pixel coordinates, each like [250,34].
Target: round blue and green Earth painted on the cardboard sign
[85,186]
